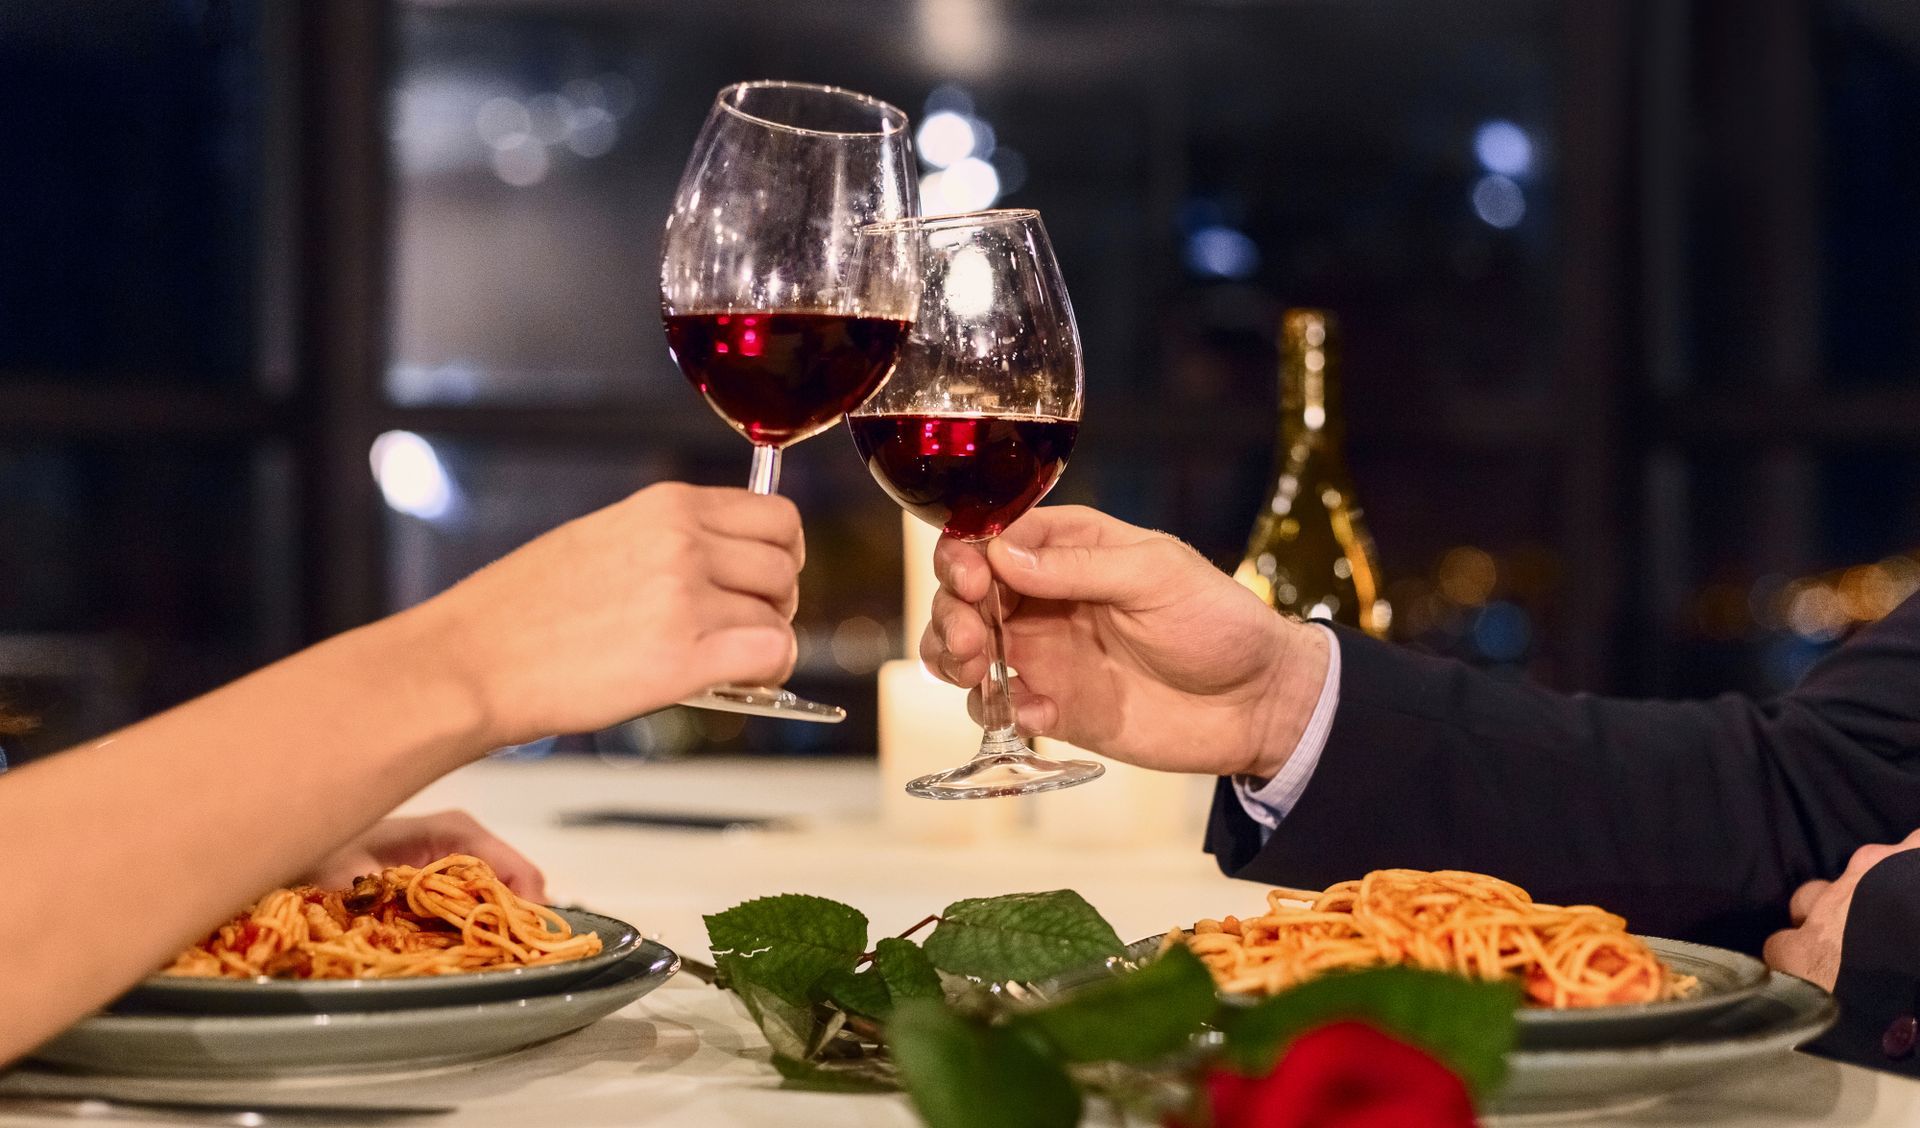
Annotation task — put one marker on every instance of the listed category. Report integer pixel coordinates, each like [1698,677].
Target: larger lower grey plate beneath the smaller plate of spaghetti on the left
[352,1041]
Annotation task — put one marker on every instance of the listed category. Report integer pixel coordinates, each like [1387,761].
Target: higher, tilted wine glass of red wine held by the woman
[780,312]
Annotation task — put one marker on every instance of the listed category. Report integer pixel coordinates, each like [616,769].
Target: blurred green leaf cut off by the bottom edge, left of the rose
[971,1075]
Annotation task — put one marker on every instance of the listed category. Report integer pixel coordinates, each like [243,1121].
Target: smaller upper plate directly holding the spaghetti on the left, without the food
[178,995]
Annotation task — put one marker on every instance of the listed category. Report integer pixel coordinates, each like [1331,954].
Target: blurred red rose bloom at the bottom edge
[1347,1075]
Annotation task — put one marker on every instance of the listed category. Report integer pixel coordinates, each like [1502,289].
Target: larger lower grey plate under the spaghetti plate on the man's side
[1785,1014]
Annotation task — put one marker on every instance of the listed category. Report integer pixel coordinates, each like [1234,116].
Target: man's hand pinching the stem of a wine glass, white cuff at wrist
[1128,644]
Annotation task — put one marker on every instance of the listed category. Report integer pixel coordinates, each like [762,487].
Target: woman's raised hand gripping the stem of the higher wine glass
[625,611]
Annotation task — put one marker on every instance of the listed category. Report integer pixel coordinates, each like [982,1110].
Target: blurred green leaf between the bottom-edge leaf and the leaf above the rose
[1140,1018]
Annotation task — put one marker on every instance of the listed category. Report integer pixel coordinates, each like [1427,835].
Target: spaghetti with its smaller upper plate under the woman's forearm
[406,937]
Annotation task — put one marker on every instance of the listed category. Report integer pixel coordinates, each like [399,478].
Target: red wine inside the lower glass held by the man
[969,475]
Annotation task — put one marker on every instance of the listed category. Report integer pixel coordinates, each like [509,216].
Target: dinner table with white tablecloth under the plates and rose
[663,843]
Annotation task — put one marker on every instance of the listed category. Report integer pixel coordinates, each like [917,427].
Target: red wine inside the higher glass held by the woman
[784,377]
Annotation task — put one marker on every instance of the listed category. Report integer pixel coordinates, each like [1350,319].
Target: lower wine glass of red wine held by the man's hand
[974,429]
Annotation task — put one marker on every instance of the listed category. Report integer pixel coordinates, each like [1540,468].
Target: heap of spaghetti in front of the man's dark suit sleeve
[1454,922]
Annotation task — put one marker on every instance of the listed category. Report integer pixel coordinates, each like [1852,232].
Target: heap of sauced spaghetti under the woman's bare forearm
[446,918]
